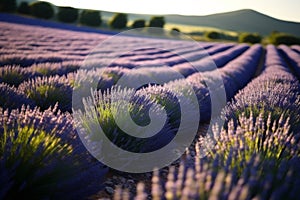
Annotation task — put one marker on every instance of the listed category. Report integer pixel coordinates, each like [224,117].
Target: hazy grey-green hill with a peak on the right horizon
[241,20]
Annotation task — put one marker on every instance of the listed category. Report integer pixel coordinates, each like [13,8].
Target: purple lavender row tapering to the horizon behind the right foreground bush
[276,90]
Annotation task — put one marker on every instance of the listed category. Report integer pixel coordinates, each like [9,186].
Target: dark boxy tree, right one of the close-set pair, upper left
[90,18]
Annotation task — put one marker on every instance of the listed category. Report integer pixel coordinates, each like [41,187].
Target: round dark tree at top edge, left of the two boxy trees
[42,9]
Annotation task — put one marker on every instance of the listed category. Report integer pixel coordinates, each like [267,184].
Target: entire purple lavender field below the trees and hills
[256,151]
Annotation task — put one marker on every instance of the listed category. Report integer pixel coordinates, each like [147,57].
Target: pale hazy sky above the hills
[281,9]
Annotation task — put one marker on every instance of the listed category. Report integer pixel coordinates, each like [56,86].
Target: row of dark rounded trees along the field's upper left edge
[45,10]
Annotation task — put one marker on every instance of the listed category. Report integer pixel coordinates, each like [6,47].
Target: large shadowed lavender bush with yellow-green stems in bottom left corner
[41,157]
